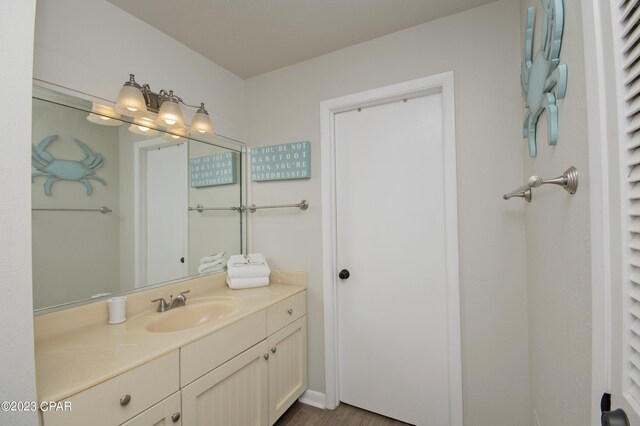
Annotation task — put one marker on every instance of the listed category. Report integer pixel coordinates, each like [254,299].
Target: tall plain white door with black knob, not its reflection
[392,310]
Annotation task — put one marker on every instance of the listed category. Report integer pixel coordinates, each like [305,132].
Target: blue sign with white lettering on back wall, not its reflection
[281,162]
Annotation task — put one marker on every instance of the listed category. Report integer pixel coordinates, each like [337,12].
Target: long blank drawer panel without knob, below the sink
[202,356]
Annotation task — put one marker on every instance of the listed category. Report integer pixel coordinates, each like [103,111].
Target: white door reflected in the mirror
[166,213]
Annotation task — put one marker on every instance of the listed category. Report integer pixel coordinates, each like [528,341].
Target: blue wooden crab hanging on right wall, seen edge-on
[539,76]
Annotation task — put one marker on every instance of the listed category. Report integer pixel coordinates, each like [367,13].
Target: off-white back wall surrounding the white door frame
[482,47]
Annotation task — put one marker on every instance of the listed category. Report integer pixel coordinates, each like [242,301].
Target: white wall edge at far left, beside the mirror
[17,368]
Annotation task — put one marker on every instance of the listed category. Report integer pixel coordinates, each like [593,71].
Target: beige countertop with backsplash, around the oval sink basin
[74,352]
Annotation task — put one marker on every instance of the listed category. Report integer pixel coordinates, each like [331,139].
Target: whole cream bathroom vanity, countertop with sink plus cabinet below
[229,357]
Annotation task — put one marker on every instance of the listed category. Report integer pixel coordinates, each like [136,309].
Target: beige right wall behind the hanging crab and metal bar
[558,250]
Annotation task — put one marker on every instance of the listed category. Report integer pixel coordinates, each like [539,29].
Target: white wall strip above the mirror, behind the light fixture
[92,46]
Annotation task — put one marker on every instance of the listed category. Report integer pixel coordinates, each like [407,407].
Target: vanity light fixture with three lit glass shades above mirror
[135,100]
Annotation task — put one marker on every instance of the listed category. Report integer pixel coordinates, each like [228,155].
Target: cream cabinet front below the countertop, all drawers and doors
[246,373]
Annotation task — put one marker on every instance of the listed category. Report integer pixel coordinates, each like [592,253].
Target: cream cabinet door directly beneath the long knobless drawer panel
[234,394]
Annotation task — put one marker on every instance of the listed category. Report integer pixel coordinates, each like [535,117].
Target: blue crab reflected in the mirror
[55,170]
